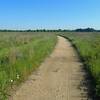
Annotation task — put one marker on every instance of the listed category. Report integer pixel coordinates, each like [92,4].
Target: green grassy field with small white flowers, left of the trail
[20,54]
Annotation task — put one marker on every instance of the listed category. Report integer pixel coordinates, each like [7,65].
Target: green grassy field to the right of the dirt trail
[88,45]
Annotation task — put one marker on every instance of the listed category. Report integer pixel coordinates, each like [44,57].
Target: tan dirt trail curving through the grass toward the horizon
[58,77]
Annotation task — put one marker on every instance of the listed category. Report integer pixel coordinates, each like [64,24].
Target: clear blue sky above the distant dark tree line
[49,14]
